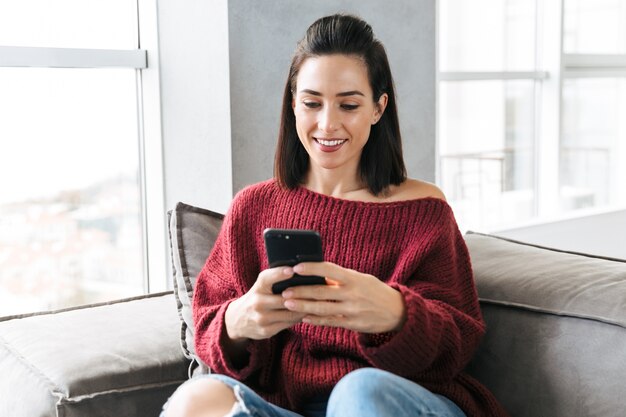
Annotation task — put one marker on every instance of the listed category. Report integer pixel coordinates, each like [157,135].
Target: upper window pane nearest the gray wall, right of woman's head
[486,35]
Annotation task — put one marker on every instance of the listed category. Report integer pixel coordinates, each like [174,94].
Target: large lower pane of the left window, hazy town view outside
[70,209]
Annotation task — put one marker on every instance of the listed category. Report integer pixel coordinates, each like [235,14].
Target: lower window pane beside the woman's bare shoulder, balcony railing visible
[486,131]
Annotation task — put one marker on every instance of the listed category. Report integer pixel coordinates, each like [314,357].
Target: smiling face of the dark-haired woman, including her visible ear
[335,110]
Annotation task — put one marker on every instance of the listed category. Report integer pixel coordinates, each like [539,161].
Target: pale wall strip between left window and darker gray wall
[195,97]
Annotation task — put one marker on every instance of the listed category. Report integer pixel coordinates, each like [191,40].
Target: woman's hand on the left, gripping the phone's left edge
[259,314]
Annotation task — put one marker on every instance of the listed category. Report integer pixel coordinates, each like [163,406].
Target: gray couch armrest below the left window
[117,359]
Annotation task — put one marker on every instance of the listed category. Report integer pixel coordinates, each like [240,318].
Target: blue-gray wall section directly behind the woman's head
[263,35]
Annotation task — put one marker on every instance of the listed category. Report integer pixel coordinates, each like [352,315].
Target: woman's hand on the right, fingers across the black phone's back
[351,300]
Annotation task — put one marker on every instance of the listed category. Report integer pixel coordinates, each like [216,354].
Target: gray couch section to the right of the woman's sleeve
[556,329]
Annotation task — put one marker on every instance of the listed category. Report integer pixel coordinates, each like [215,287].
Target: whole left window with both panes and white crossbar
[72,207]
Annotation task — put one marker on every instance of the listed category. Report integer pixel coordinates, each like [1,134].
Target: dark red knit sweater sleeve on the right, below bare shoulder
[444,324]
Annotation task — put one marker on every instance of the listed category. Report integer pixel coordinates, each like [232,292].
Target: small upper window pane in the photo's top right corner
[595,26]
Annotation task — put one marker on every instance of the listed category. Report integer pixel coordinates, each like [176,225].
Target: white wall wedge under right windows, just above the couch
[601,234]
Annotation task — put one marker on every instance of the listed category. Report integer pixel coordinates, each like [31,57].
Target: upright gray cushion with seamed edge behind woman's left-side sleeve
[192,232]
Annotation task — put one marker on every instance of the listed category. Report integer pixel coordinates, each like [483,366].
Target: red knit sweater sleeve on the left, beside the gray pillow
[225,277]
